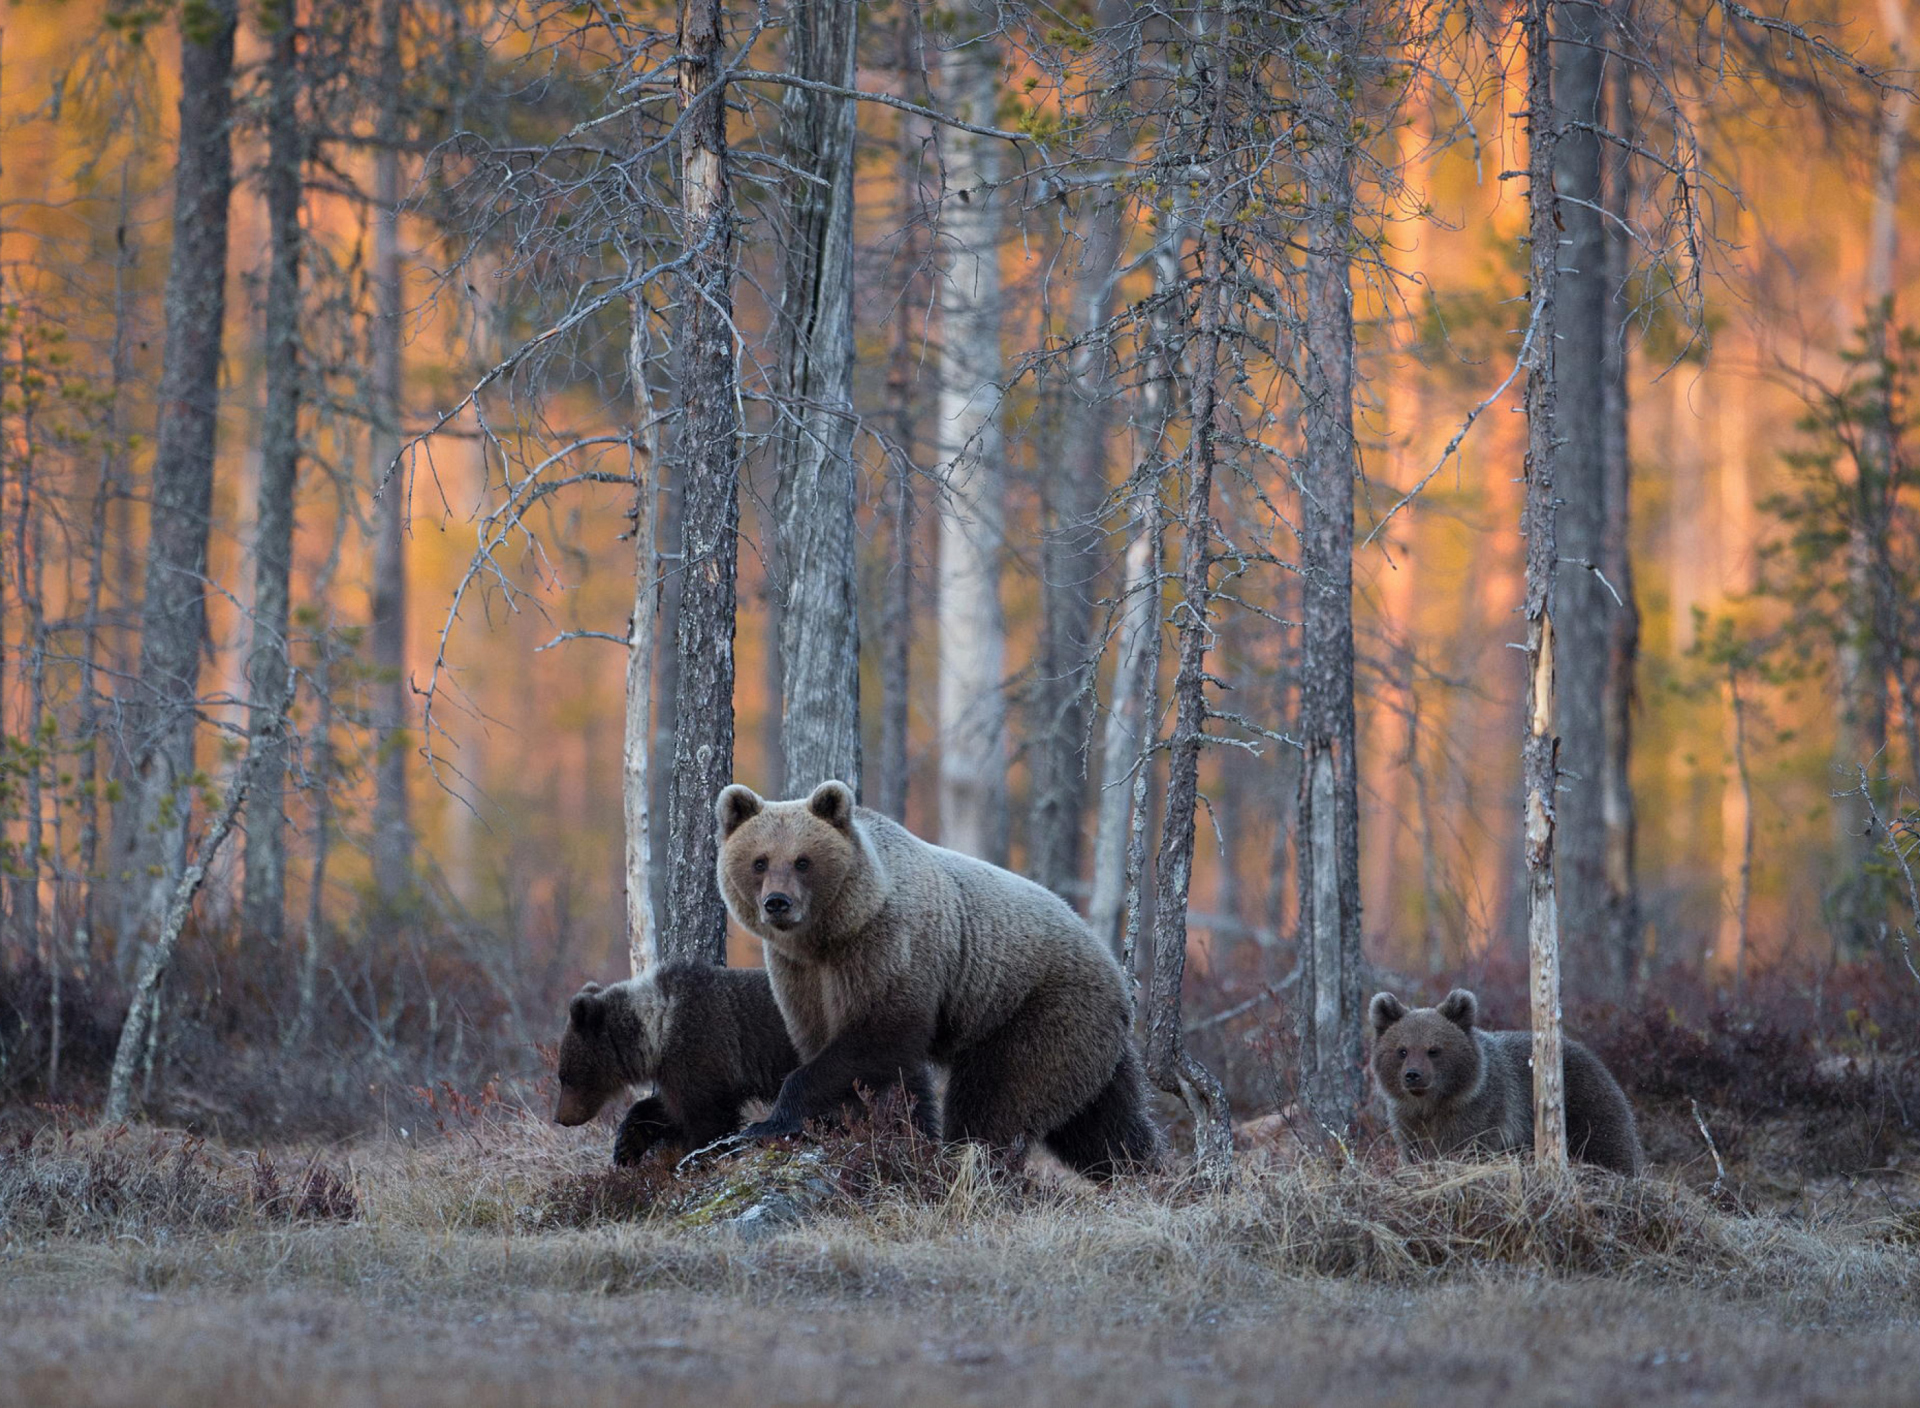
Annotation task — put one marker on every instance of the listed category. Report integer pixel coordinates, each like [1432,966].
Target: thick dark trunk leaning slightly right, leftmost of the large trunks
[174,616]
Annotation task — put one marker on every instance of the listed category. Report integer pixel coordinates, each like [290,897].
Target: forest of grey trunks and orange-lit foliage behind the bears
[1088,427]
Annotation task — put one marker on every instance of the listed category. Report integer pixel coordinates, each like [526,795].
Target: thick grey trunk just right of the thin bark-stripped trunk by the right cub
[1583,602]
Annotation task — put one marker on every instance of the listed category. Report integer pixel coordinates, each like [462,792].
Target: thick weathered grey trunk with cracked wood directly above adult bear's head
[815,497]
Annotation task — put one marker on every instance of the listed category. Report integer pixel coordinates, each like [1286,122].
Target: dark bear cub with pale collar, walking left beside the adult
[708,1040]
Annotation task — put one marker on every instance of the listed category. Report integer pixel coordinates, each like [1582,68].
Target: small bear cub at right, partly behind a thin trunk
[1452,1088]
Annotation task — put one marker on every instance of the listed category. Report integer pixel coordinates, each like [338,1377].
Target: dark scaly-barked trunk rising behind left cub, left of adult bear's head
[708,435]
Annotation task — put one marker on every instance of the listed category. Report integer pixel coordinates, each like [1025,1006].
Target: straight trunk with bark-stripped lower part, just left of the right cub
[1328,831]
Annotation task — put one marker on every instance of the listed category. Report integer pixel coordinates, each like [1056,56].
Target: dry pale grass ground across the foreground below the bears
[498,1263]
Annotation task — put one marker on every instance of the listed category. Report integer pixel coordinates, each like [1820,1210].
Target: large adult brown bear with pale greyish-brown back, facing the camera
[890,954]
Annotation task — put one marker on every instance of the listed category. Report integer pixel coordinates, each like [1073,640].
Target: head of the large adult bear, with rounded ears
[784,863]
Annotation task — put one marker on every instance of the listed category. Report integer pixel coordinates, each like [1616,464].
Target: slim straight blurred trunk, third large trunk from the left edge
[393,827]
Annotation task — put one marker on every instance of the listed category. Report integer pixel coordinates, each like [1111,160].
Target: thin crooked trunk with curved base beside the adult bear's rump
[1168,1061]
